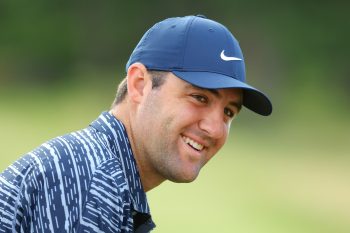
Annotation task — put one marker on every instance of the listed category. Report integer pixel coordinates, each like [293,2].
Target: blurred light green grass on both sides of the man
[279,174]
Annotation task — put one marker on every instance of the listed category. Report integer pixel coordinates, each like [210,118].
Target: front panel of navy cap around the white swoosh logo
[206,41]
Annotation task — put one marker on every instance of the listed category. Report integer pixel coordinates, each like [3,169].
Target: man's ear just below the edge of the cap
[138,82]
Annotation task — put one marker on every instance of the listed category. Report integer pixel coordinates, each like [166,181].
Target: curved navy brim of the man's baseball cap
[253,99]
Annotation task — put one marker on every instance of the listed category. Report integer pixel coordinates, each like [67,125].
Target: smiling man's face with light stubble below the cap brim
[179,127]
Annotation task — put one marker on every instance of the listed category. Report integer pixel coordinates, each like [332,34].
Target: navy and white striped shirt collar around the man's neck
[119,143]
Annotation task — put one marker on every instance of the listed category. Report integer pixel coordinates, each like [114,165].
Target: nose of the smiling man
[213,124]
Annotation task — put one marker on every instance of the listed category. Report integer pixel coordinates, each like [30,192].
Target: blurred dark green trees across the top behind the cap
[291,42]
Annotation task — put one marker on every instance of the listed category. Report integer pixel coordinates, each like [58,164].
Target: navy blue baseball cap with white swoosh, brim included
[202,52]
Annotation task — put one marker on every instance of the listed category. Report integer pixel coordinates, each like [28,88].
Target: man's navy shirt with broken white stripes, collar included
[85,181]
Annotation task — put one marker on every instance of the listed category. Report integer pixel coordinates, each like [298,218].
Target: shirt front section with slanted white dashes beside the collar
[103,210]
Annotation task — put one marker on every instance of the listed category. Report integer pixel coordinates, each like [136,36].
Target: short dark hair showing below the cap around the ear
[158,79]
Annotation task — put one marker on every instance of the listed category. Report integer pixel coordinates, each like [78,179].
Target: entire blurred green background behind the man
[60,63]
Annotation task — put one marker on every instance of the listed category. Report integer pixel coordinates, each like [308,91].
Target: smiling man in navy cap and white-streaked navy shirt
[185,84]
